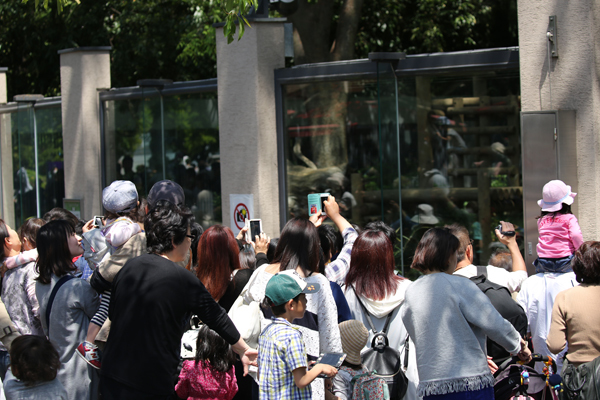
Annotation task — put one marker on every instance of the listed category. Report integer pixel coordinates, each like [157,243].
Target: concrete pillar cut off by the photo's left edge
[7,205]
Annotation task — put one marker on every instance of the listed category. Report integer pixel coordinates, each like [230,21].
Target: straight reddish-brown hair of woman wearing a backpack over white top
[371,270]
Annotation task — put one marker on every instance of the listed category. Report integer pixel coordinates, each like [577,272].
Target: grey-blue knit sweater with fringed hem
[448,318]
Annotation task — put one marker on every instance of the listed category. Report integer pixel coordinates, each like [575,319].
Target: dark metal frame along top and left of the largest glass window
[452,63]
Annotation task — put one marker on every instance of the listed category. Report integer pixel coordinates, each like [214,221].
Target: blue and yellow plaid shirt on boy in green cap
[281,351]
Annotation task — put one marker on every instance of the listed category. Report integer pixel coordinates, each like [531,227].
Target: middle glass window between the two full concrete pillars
[167,137]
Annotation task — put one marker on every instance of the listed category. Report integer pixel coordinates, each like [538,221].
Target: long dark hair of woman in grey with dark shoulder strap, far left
[54,256]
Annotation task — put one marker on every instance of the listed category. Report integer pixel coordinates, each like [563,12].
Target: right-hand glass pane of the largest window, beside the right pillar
[461,157]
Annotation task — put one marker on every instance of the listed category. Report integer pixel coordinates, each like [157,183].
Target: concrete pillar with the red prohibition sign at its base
[247,127]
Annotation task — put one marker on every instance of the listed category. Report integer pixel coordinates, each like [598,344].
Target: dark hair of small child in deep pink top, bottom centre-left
[213,348]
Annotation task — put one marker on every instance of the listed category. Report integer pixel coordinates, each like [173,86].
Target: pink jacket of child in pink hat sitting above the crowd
[559,236]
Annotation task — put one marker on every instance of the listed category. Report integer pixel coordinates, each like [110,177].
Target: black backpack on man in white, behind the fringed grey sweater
[506,306]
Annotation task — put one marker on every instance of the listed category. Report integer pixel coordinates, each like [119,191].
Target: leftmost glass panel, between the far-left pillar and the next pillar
[45,124]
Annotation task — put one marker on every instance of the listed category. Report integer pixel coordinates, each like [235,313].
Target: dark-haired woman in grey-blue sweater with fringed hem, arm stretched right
[448,318]
